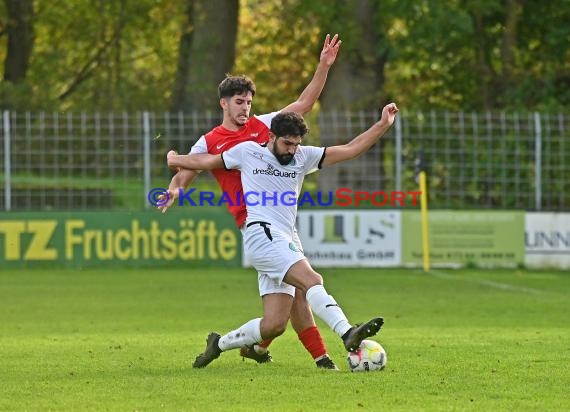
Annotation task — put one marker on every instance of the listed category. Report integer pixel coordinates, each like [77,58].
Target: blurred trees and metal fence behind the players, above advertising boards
[94,92]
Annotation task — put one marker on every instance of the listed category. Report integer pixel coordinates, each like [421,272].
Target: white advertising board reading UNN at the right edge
[547,240]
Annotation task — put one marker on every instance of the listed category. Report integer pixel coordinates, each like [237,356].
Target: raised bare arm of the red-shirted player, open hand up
[309,96]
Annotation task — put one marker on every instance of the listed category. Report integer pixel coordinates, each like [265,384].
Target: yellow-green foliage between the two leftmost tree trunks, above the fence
[102,55]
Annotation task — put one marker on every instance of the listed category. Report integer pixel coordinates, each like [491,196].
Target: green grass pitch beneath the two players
[124,340]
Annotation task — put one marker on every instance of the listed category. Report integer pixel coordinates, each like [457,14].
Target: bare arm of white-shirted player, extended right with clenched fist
[364,141]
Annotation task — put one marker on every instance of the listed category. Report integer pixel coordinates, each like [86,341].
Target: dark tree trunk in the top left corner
[20,32]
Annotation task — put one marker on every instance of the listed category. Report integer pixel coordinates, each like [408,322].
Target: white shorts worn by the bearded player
[272,258]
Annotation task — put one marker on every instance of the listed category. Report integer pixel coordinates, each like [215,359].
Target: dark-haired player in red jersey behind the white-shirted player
[236,95]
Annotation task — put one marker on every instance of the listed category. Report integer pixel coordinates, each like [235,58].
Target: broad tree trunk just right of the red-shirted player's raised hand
[356,82]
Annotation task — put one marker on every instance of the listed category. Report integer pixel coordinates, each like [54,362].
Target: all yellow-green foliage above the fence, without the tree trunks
[122,55]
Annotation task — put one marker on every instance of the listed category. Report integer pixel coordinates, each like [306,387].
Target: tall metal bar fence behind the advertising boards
[86,161]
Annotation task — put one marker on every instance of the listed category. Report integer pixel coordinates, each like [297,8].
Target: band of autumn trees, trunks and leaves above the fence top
[161,54]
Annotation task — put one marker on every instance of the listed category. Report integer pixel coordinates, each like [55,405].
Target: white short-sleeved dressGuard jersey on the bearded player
[271,189]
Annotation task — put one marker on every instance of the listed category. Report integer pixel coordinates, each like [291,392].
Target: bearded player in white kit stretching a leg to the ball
[269,244]
